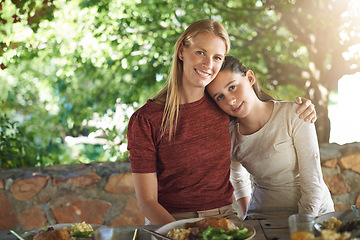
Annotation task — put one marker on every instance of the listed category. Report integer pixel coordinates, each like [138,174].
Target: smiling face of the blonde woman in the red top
[202,59]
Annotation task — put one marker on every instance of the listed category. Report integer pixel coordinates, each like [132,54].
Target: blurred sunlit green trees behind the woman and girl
[73,71]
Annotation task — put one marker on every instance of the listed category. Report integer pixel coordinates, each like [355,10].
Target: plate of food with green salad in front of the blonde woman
[206,228]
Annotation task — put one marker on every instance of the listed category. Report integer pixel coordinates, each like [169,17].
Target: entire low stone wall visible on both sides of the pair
[103,193]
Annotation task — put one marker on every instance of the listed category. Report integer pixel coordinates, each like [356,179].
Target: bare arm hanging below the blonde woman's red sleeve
[147,197]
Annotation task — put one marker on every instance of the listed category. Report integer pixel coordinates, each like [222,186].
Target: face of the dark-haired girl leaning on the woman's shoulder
[233,92]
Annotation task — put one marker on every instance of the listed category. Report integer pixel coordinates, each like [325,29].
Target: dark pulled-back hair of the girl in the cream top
[234,65]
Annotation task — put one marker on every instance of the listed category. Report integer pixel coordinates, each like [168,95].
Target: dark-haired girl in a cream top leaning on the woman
[279,150]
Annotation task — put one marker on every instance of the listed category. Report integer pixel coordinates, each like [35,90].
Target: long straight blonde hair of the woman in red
[171,90]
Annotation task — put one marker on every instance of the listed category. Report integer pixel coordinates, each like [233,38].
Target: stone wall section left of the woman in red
[97,193]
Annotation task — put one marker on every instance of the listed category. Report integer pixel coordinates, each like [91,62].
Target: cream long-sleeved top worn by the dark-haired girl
[284,161]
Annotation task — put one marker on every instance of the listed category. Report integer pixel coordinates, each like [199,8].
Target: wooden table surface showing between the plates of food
[276,229]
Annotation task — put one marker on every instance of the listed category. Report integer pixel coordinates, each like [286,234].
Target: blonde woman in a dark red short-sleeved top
[179,141]
